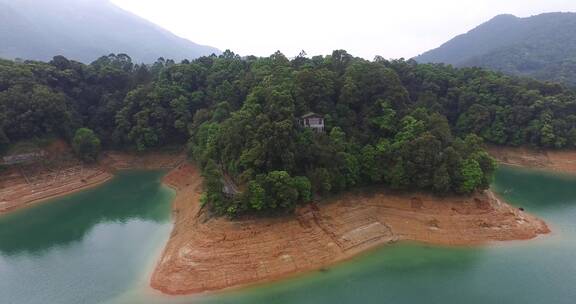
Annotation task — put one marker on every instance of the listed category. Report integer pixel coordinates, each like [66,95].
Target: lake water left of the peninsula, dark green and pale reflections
[87,247]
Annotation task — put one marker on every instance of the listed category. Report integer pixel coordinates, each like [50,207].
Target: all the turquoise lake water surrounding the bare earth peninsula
[74,263]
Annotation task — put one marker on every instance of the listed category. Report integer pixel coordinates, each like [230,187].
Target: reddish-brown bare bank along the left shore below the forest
[22,186]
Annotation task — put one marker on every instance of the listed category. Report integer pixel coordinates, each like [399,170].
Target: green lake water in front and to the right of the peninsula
[531,272]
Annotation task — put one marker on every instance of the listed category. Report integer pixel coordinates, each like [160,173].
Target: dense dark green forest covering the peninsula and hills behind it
[397,123]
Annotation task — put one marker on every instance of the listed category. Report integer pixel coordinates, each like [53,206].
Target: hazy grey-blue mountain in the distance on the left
[84,30]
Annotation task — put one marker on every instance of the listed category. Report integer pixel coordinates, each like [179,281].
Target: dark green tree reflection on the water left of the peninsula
[134,195]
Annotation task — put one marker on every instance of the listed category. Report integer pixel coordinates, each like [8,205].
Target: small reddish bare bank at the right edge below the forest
[557,161]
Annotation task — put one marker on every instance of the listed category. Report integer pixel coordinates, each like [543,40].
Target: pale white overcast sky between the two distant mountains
[392,29]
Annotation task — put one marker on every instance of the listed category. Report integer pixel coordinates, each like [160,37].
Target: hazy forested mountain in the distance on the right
[542,46]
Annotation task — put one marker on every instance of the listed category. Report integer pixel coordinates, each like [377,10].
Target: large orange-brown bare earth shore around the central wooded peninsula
[205,254]
